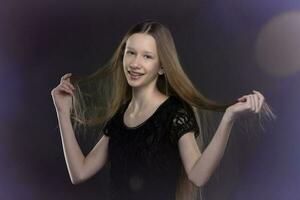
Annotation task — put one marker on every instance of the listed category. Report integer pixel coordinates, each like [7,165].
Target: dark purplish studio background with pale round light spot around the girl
[226,47]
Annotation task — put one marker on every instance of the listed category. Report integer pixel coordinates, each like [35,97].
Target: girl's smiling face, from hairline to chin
[140,61]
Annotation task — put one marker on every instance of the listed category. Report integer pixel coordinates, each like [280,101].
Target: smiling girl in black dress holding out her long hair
[149,113]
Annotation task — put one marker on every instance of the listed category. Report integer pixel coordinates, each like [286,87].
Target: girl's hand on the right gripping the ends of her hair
[251,103]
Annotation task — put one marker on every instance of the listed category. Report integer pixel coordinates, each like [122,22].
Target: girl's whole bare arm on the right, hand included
[199,167]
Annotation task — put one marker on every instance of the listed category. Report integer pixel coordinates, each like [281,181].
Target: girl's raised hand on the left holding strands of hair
[62,94]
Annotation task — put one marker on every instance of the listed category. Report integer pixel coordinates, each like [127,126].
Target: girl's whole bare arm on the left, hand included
[80,168]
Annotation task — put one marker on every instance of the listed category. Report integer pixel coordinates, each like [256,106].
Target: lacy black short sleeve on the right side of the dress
[182,122]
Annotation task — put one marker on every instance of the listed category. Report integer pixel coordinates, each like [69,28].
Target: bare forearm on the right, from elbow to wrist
[210,158]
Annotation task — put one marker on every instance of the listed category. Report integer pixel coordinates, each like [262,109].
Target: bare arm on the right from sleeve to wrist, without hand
[200,167]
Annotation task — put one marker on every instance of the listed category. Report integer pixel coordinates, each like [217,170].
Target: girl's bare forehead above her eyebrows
[141,42]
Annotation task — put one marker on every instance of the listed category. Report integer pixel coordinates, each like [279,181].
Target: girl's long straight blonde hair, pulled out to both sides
[107,89]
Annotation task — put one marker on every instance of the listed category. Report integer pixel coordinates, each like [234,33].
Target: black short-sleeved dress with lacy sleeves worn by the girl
[145,161]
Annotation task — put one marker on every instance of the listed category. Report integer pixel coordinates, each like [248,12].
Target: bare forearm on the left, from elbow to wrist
[72,152]
